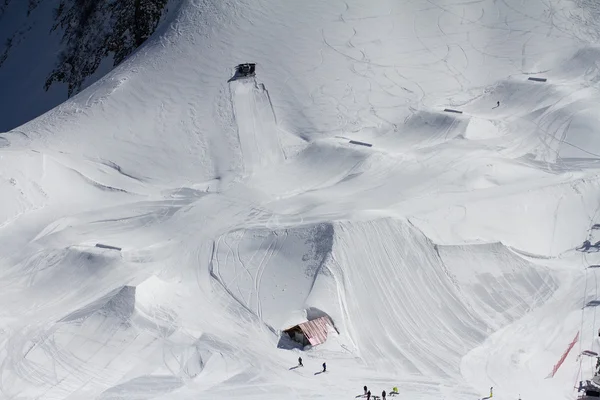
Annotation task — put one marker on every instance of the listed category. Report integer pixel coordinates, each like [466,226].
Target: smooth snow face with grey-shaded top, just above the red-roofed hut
[273,273]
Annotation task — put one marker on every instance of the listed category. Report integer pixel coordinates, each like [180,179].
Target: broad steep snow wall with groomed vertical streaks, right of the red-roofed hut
[420,307]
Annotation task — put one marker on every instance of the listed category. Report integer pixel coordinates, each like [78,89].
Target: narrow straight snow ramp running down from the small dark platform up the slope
[256,123]
